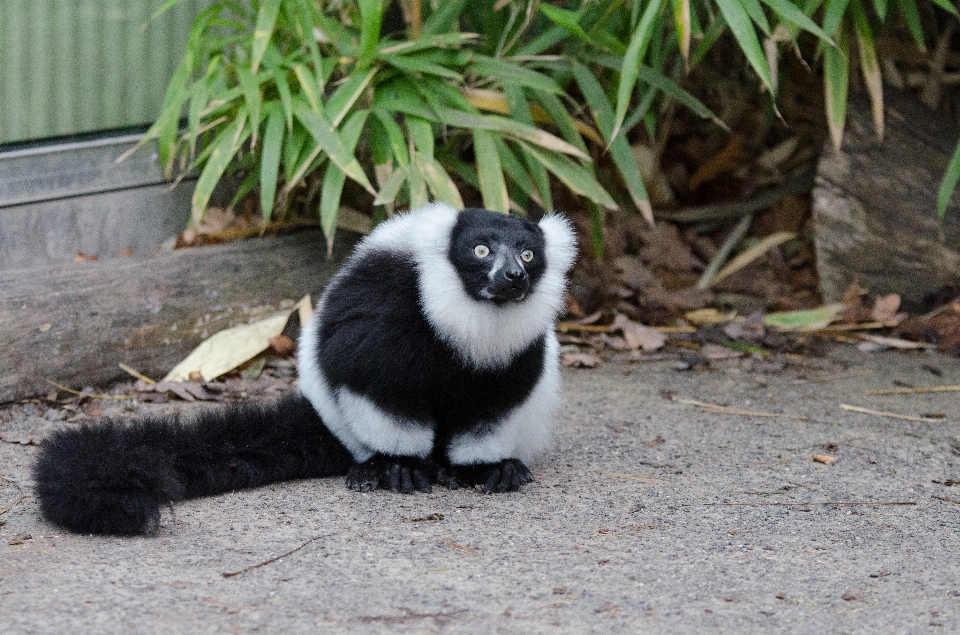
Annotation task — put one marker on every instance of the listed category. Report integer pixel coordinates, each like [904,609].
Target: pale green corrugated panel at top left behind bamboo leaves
[74,66]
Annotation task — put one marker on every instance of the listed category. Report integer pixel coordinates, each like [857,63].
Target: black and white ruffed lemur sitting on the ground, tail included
[430,358]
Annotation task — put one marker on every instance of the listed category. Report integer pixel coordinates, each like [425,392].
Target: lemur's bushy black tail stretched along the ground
[112,477]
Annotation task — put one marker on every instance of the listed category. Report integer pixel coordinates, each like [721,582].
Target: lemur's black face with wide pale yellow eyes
[499,258]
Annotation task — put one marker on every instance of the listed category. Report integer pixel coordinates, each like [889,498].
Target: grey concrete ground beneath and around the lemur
[648,516]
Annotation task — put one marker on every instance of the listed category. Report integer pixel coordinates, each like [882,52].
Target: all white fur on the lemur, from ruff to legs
[484,334]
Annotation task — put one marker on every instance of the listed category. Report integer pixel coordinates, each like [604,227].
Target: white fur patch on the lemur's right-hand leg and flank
[526,431]
